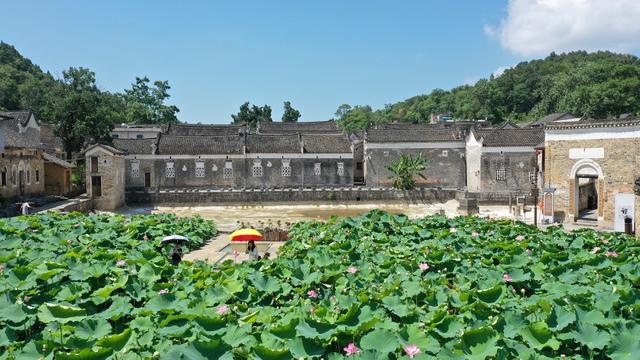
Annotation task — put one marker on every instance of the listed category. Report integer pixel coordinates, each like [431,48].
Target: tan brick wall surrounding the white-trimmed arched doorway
[620,165]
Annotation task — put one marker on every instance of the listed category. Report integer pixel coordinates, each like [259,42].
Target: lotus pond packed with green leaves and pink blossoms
[378,286]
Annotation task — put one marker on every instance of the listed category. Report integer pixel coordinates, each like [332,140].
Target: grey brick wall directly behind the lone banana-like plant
[446,166]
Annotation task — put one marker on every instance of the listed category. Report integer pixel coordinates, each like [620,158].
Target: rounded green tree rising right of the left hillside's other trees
[145,103]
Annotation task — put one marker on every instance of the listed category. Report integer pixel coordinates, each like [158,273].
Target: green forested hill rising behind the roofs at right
[593,84]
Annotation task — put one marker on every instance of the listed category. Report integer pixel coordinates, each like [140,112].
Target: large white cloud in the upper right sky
[537,27]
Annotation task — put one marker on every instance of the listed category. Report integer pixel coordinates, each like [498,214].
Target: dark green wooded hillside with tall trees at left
[74,104]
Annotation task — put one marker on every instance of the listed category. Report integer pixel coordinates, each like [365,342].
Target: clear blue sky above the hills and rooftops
[318,55]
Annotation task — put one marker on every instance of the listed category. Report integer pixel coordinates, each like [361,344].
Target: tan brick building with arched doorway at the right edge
[591,166]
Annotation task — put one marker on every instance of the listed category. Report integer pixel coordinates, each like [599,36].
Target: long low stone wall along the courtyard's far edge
[203,197]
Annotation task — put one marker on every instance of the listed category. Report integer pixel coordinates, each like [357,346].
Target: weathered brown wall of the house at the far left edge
[24,173]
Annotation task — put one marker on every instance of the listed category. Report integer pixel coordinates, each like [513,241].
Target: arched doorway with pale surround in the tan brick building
[586,191]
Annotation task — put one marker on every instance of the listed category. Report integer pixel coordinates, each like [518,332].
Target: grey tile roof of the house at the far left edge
[13,138]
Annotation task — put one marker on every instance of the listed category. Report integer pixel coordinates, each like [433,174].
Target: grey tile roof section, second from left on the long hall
[200,145]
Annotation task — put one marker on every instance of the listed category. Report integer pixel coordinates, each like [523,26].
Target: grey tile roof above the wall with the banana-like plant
[425,136]
